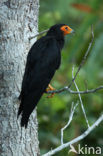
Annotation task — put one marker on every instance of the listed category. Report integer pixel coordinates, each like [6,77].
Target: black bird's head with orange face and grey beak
[60,30]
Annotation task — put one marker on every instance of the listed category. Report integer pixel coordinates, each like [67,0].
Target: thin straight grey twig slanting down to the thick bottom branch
[81,102]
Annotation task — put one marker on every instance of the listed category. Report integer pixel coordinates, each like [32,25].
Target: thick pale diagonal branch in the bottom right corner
[82,136]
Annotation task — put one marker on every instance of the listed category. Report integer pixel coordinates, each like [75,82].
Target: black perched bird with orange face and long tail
[43,60]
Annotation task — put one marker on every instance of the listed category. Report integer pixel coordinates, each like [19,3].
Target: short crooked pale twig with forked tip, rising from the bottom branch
[69,121]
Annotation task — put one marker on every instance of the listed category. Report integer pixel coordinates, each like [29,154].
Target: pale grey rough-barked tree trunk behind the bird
[18,22]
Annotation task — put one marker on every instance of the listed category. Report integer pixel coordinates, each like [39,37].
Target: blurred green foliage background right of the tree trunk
[53,113]
